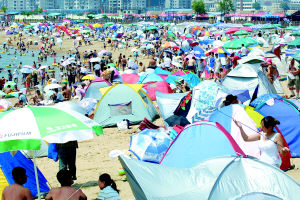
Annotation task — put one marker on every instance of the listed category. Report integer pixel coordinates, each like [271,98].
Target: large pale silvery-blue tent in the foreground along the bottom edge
[234,178]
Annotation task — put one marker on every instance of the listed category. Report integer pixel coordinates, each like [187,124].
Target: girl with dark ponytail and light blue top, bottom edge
[108,188]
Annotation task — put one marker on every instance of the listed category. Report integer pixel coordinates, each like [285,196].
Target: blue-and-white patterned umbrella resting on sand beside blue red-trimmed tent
[149,145]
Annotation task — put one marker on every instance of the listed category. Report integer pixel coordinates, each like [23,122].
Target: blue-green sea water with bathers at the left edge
[10,61]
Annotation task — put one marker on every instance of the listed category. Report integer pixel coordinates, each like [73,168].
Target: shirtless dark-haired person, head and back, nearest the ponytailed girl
[65,191]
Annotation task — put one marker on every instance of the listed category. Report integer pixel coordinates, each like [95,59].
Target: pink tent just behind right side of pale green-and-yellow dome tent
[152,87]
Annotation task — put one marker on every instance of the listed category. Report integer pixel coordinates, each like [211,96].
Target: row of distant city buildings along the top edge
[139,6]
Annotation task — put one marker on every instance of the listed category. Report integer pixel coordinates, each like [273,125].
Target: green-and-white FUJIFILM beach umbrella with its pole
[23,129]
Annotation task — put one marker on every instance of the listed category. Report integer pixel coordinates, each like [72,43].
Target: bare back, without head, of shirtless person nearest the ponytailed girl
[65,193]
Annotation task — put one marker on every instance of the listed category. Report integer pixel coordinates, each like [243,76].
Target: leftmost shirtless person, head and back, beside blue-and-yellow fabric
[16,191]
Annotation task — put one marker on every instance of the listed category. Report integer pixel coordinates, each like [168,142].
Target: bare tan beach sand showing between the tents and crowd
[92,156]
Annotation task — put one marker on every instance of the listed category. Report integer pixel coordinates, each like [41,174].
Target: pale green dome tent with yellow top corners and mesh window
[124,101]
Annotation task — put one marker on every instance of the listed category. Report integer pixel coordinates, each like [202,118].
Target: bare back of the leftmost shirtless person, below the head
[16,192]
